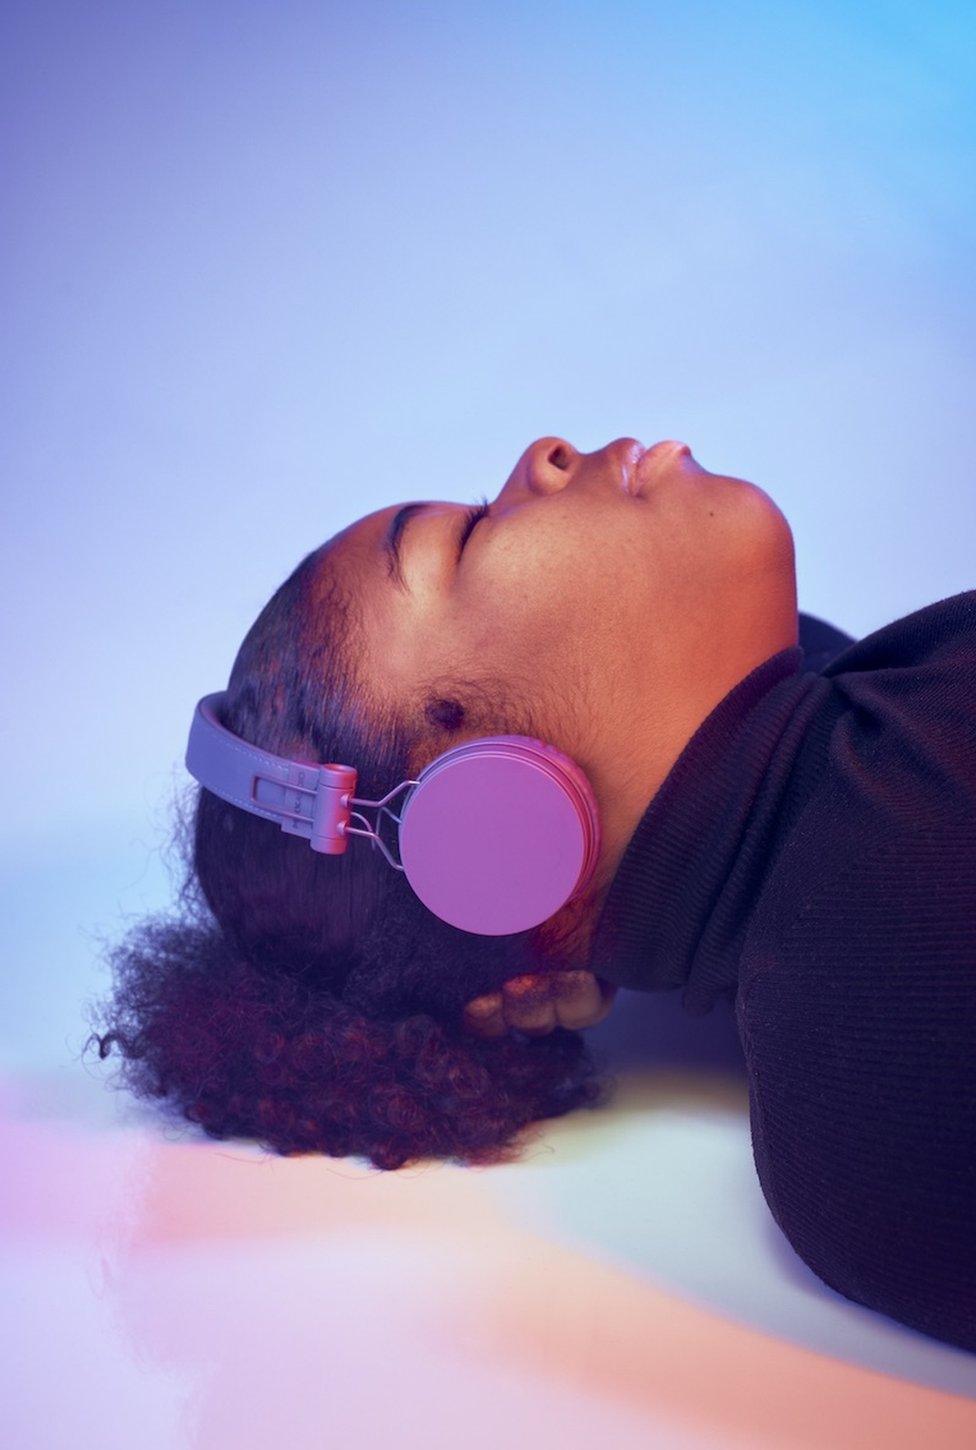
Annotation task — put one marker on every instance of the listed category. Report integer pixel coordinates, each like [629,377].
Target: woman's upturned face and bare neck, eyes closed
[620,594]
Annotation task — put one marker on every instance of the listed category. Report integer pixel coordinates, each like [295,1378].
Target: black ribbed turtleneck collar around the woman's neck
[681,901]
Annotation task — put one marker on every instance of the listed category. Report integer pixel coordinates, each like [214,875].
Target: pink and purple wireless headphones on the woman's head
[494,837]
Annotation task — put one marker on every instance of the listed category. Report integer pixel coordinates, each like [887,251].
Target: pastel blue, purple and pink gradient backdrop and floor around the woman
[266,269]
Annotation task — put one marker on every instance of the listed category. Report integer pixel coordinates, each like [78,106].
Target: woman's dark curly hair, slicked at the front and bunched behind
[313,1003]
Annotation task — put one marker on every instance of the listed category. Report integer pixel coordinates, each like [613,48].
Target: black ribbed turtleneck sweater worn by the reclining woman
[811,859]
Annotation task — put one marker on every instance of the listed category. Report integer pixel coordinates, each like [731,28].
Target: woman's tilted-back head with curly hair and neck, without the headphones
[311,1001]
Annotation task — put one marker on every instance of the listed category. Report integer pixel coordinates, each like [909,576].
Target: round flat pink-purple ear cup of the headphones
[500,834]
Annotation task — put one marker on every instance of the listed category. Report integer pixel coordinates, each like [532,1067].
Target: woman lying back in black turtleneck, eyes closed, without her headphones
[808,853]
